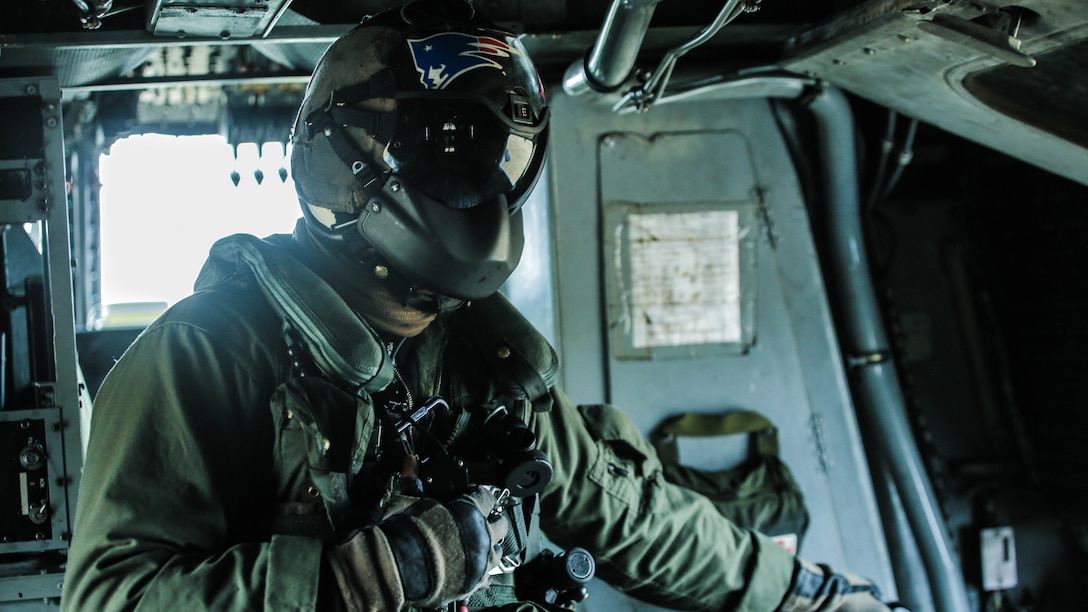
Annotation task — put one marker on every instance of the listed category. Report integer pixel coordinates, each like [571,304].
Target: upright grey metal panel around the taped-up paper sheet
[794,373]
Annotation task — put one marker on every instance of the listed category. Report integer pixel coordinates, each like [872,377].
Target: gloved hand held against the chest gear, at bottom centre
[427,556]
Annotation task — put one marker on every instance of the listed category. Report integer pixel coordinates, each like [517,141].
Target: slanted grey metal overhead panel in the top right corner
[887,52]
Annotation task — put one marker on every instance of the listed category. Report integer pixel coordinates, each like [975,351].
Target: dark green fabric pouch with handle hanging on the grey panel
[759,495]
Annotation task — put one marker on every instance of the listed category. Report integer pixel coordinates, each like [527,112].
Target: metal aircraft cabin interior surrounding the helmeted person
[866,222]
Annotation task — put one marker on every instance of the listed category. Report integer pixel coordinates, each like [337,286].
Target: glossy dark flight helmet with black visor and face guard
[421,137]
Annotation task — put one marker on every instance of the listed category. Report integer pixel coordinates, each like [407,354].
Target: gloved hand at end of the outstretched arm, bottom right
[820,589]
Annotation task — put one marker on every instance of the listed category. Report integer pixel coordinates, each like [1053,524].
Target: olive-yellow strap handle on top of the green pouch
[762,433]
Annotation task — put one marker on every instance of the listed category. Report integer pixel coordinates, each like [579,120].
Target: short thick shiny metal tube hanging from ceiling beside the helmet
[612,58]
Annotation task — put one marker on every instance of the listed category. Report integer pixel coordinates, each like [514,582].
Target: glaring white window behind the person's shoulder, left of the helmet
[166,200]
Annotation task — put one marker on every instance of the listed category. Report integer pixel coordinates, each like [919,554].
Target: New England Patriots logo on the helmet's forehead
[442,58]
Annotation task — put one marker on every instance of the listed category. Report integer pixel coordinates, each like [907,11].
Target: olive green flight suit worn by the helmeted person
[203,438]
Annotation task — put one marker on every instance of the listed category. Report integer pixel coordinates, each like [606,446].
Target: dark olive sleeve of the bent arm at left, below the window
[176,484]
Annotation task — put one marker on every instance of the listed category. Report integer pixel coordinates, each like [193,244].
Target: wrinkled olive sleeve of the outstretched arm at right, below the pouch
[653,541]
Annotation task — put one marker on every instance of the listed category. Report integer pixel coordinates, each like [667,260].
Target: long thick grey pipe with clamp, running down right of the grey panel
[880,400]
